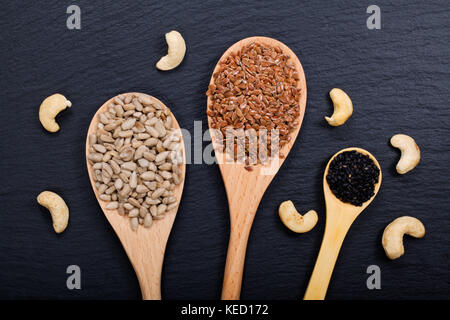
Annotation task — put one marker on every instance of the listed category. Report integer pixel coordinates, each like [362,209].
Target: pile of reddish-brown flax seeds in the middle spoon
[255,88]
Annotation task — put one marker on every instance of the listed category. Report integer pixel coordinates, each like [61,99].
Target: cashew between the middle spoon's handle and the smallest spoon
[295,221]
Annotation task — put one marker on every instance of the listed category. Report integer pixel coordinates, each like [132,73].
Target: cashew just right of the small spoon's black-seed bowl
[410,152]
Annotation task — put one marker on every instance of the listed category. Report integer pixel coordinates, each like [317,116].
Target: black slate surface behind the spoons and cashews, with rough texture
[397,77]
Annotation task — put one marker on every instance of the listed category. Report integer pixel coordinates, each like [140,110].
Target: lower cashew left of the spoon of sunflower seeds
[57,207]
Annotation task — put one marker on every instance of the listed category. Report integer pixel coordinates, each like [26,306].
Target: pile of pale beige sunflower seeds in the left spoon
[136,156]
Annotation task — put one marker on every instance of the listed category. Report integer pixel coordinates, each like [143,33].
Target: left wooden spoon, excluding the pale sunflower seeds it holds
[145,247]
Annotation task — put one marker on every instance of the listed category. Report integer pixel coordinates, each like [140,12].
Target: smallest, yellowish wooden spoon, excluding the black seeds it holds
[340,216]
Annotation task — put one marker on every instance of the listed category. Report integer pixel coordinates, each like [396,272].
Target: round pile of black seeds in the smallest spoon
[352,177]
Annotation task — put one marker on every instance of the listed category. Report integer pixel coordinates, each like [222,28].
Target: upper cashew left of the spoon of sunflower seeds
[50,108]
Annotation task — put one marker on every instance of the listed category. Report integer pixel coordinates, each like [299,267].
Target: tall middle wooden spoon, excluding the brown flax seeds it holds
[245,188]
